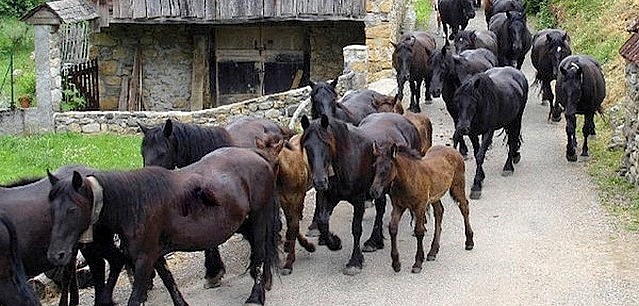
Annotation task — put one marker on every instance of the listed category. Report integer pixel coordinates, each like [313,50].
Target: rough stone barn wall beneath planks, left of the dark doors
[166,55]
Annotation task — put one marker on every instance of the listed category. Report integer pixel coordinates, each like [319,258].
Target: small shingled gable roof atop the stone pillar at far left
[64,11]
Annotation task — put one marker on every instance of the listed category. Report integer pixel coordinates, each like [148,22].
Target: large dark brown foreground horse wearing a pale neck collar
[156,211]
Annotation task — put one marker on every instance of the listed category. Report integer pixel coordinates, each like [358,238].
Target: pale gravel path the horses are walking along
[541,237]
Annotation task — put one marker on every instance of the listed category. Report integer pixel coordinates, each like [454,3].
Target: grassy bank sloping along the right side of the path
[597,27]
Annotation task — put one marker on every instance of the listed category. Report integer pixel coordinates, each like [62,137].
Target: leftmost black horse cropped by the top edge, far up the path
[455,14]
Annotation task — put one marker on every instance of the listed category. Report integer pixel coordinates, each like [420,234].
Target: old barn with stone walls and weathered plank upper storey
[196,54]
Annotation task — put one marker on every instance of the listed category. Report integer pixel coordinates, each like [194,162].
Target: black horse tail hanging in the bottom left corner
[19,279]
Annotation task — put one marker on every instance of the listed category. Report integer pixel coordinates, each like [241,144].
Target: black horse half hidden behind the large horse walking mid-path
[450,71]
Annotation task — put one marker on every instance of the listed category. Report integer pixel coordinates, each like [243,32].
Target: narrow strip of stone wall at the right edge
[630,162]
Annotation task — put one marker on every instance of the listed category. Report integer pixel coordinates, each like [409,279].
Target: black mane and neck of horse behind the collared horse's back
[192,141]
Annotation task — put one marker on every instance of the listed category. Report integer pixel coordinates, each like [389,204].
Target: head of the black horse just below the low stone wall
[158,146]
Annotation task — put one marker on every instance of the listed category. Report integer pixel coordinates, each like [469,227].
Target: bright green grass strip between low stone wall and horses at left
[29,156]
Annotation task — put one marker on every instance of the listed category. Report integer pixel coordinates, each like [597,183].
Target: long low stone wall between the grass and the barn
[278,108]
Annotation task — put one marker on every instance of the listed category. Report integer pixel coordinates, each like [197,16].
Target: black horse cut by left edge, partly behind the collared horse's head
[26,203]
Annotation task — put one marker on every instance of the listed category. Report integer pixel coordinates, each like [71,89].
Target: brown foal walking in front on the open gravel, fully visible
[415,183]
